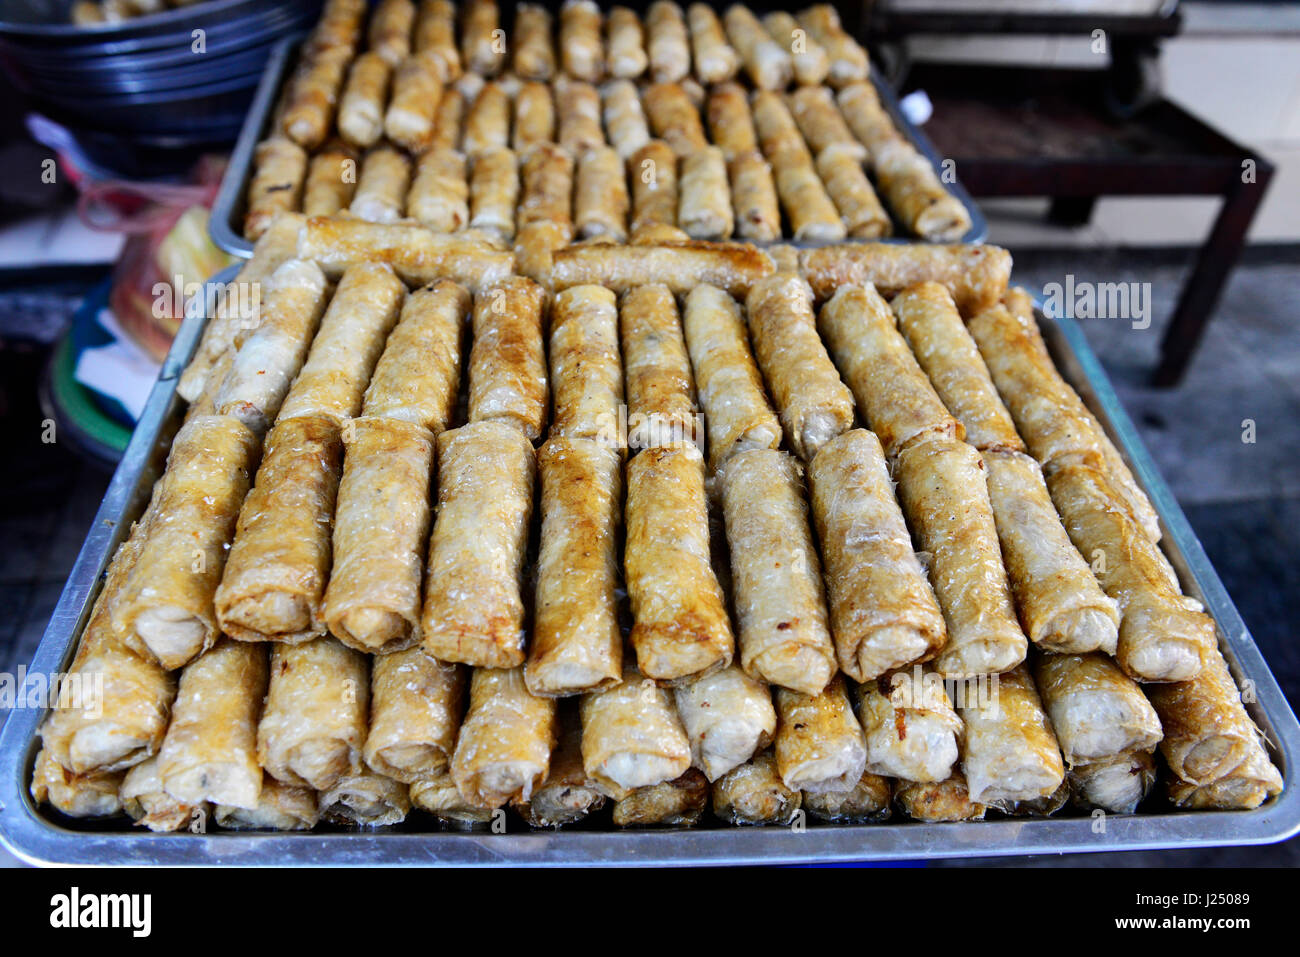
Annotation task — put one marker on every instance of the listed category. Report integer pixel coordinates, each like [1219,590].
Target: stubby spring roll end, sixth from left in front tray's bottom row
[632,737]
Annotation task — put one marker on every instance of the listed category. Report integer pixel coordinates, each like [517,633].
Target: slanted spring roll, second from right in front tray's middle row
[1058,599]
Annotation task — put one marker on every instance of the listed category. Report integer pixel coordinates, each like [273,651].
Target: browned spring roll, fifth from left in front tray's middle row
[577,642]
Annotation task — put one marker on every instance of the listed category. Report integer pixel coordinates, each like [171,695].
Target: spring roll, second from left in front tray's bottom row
[211,748]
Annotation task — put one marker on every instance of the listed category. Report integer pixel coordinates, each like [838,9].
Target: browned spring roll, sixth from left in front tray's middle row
[681,617]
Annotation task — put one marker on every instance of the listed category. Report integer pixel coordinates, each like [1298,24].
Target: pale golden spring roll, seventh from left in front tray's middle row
[777,577]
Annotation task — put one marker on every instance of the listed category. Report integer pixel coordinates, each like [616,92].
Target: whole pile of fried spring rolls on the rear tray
[678,124]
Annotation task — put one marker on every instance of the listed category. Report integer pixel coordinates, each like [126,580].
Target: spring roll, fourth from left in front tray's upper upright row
[508,361]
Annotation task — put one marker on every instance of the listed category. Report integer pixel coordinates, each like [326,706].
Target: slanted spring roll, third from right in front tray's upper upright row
[896,399]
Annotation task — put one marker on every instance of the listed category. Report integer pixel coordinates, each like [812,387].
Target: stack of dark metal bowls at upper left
[133,90]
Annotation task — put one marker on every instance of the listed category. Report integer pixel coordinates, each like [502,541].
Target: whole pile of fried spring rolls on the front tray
[753,542]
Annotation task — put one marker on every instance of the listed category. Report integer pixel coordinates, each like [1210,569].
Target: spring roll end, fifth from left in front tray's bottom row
[505,746]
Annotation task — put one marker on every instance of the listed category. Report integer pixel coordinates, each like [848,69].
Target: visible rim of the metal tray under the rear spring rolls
[228,210]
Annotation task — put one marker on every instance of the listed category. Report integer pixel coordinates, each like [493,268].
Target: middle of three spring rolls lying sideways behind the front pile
[681,266]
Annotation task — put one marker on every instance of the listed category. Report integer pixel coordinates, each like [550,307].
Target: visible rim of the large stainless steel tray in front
[40,835]
